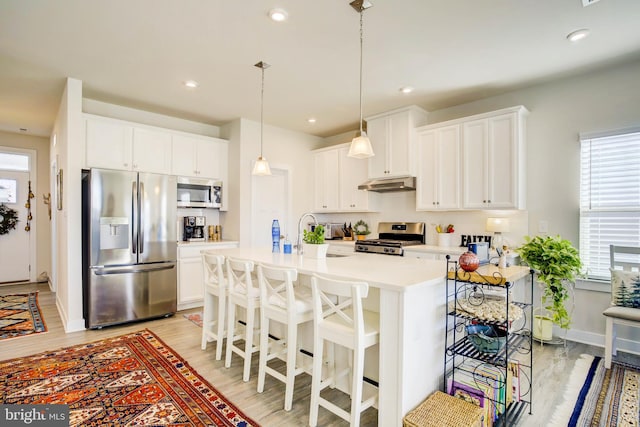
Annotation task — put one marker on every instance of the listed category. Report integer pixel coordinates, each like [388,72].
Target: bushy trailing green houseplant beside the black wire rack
[557,264]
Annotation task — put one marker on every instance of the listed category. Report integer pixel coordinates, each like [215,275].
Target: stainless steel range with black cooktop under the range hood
[392,237]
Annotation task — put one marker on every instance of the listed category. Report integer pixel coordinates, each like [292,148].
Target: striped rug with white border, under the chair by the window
[596,396]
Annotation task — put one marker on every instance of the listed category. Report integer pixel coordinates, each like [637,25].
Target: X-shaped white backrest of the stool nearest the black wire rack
[339,301]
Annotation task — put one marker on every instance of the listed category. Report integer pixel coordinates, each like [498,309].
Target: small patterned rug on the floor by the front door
[20,315]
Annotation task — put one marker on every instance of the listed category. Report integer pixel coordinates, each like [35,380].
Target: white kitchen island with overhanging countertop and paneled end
[409,294]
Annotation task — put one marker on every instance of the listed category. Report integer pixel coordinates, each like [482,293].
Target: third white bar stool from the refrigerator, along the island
[291,307]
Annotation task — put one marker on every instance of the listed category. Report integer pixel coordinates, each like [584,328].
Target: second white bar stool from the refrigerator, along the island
[242,293]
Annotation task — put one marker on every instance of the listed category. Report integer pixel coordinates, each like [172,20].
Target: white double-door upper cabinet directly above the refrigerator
[115,144]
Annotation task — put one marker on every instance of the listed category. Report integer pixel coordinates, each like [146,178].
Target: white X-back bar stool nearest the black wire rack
[345,323]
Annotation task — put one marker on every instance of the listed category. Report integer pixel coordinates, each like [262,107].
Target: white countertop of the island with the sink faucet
[380,271]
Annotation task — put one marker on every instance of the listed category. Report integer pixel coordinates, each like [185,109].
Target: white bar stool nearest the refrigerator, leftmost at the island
[215,301]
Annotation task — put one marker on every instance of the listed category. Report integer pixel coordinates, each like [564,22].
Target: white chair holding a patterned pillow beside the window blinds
[628,259]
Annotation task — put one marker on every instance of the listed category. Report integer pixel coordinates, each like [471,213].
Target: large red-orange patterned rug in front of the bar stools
[133,379]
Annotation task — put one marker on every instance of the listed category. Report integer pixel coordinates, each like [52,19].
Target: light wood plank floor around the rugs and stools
[552,366]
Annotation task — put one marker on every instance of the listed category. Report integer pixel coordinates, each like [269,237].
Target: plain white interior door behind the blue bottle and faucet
[271,200]
